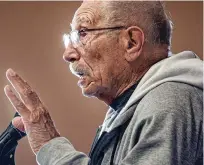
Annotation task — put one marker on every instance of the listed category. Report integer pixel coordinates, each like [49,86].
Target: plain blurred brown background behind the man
[31,44]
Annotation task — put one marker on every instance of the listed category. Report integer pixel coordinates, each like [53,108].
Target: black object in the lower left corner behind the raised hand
[8,143]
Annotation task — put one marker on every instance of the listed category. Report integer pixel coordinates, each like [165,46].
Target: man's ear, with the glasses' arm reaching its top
[134,43]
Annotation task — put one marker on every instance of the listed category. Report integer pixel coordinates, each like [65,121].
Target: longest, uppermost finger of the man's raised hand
[28,96]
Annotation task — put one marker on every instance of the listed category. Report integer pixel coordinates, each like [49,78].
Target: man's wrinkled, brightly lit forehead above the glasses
[89,14]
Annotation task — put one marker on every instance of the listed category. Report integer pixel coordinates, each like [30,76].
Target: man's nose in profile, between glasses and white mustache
[71,55]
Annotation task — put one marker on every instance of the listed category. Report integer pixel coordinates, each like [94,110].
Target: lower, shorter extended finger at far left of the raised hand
[16,102]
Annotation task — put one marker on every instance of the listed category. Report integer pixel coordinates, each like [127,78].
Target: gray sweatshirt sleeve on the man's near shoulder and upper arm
[168,128]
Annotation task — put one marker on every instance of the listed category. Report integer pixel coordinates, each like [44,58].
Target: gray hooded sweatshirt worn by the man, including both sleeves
[161,124]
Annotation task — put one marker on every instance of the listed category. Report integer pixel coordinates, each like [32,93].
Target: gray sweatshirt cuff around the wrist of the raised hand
[59,151]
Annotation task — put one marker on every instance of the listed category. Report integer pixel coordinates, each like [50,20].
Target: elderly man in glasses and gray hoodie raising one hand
[120,52]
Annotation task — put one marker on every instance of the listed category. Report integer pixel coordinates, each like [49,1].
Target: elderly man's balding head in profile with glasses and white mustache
[125,40]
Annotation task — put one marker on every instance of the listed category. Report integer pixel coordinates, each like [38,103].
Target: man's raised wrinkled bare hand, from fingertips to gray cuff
[35,117]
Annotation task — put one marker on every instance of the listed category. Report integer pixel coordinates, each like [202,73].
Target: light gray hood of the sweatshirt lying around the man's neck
[185,67]
